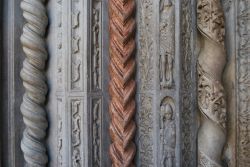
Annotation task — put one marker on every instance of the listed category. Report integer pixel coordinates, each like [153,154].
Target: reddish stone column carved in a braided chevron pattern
[122,83]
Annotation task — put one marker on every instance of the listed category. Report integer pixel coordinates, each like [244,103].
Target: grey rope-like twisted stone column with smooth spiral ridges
[34,82]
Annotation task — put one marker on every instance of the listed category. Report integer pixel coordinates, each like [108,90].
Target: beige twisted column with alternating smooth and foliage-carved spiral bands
[211,96]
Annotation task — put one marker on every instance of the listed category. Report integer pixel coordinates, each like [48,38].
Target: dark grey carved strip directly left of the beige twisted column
[188,69]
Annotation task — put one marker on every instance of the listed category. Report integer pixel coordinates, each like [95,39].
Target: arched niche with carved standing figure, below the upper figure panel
[167,132]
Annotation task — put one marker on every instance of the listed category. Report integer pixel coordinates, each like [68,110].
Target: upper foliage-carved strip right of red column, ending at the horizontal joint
[145,30]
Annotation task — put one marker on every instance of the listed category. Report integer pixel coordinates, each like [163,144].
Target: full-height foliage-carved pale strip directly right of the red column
[145,57]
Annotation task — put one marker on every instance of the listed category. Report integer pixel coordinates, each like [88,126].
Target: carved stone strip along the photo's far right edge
[243,81]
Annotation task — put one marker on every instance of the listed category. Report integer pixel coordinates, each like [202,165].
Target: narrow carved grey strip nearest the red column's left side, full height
[96,89]
